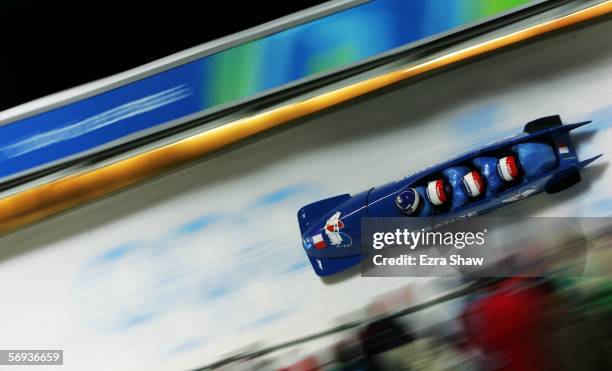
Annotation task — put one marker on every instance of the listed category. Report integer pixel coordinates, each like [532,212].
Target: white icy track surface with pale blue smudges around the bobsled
[180,271]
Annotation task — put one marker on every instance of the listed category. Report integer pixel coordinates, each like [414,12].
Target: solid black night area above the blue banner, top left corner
[52,46]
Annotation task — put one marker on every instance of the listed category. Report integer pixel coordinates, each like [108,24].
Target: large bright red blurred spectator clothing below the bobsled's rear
[507,325]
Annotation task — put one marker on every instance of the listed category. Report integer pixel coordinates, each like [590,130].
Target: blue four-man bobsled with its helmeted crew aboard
[541,158]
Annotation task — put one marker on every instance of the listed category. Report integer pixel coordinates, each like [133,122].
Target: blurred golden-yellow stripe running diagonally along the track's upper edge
[45,200]
